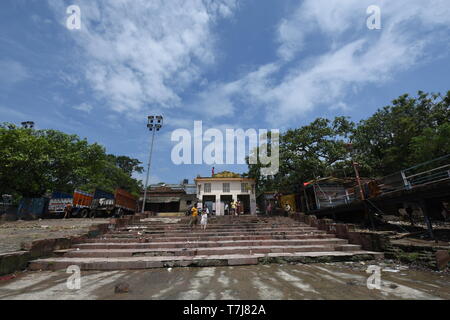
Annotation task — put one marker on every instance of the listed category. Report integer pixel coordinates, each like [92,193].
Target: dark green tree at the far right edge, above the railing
[412,130]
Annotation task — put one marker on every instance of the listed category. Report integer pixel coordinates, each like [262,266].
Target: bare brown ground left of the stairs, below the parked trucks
[13,233]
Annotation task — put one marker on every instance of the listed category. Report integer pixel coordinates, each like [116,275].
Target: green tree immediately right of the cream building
[314,150]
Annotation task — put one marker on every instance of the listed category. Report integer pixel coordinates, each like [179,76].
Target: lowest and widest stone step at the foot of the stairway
[131,263]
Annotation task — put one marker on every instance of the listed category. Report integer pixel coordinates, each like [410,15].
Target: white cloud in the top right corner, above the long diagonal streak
[335,18]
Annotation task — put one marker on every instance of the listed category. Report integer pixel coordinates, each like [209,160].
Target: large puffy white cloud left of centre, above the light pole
[143,53]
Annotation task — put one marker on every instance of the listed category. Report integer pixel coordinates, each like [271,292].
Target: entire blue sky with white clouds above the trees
[272,64]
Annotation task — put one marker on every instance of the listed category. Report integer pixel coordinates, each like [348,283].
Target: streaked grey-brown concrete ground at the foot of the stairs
[319,281]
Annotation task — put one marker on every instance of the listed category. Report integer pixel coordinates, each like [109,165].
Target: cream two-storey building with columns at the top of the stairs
[223,188]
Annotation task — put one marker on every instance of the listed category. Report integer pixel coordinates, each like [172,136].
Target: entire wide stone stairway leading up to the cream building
[227,241]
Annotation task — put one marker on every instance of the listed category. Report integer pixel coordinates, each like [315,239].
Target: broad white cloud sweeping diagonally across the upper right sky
[352,55]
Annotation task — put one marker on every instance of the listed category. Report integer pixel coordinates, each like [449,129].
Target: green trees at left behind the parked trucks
[35,162]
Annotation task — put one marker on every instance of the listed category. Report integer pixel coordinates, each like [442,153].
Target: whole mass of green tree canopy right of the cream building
[410,131]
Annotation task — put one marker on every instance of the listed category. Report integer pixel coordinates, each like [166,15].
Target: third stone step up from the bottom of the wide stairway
[209,244]
